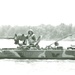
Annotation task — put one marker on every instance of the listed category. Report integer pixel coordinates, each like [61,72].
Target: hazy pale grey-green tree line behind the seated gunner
[48,32]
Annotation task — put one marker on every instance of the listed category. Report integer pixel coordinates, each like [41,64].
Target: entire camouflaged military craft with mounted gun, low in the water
[24,51]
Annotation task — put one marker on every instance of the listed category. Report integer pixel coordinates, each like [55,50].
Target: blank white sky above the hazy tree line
[36,12]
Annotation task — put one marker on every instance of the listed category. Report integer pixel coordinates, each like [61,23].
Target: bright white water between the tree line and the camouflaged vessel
[5,43]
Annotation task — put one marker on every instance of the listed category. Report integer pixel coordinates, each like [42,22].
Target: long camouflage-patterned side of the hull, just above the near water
[37,54]
